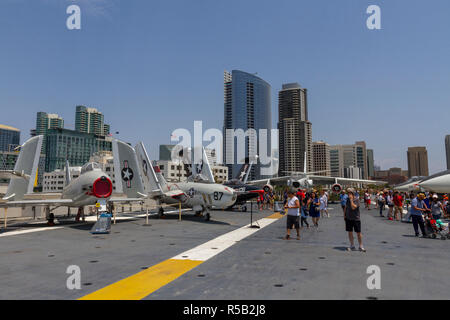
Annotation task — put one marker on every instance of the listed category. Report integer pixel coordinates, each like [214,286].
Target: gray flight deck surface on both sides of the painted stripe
[261,266]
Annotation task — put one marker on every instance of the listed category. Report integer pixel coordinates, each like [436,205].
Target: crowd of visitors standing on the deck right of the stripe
[300,204]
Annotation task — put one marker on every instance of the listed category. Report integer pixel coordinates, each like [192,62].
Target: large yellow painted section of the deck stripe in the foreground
[142,284]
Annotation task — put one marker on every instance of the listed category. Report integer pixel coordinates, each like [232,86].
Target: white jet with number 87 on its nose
[200,196]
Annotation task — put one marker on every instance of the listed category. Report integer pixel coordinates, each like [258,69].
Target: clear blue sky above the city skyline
[154,66]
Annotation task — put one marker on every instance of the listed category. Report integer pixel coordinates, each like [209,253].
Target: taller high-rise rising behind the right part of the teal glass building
[90,120]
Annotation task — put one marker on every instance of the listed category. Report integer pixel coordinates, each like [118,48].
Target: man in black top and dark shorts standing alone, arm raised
[353,220]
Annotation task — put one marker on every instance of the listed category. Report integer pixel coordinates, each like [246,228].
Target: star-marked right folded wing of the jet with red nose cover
[126,170]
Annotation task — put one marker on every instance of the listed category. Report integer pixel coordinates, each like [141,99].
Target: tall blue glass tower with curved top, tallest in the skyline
[246,107]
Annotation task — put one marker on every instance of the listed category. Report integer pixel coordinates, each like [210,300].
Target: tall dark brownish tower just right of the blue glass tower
[295,136]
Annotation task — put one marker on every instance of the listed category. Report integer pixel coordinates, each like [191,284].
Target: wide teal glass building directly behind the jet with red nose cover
[75,146]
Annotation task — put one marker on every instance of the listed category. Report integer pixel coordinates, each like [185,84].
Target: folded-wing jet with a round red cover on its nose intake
[91,187]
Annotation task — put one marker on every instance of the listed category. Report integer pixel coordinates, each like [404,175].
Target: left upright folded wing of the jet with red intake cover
[25,170]
